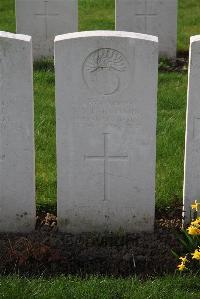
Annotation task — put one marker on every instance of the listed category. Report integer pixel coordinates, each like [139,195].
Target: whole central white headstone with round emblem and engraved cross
[106,85]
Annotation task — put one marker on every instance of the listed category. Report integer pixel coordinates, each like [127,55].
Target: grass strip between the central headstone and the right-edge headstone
[172,92]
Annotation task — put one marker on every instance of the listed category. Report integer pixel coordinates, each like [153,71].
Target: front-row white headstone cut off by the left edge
[17,188]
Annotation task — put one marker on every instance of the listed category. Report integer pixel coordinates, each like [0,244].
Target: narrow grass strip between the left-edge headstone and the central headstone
[45,139]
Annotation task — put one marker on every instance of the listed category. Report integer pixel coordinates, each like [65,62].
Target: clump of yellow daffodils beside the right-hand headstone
[192,259]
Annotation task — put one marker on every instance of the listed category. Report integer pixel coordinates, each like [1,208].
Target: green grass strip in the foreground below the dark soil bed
[100,288]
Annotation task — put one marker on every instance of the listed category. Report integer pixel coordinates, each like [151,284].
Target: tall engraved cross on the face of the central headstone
[106,158]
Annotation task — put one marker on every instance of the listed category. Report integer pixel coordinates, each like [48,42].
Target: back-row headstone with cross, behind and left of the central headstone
[43,20]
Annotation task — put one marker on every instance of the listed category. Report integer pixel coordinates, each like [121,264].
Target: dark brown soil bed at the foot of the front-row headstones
[48,252]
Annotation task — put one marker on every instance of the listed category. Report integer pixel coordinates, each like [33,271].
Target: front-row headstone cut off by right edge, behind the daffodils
[192,144]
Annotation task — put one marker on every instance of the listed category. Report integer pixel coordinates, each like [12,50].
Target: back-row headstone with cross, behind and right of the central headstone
[156,17]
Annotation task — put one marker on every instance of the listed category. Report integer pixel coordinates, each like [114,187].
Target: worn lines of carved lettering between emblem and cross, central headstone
[116,114]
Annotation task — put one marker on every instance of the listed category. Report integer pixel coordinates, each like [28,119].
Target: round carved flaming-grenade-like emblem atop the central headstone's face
[105,71]
